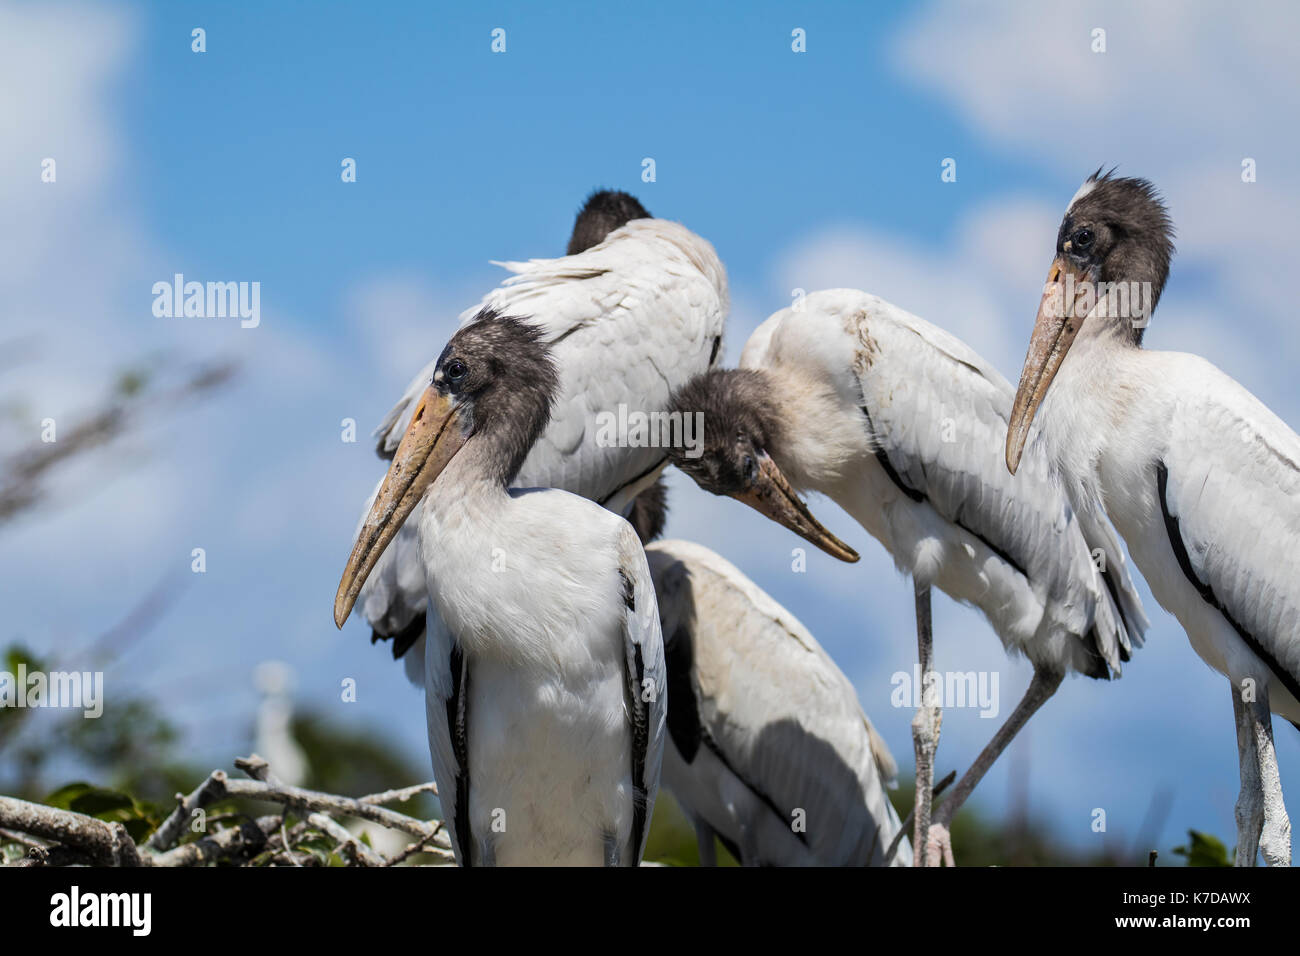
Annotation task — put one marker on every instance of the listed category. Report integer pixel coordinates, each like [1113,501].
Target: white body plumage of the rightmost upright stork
[1232,483]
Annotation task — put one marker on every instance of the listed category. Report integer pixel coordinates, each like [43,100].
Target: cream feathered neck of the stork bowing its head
[820,438]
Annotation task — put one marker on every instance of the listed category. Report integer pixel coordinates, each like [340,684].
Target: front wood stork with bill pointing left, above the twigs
[547,711]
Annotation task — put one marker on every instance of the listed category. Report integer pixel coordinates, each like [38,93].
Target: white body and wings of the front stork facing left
[552,642]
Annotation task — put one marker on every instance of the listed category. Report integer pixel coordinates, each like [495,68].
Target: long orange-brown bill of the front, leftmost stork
[432,440]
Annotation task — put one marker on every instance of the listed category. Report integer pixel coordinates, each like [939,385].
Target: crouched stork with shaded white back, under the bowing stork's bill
[768,746]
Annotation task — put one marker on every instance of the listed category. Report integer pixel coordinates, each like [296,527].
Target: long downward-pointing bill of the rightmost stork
[1055,331]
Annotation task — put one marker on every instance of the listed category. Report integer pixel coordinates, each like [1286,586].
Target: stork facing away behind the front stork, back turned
[632,313]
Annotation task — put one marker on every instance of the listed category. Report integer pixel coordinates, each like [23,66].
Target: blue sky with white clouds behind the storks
[805,170]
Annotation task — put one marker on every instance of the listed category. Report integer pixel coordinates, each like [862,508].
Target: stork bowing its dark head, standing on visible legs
[903,426]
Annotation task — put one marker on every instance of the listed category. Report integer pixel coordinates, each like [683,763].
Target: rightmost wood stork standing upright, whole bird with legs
[1201,479]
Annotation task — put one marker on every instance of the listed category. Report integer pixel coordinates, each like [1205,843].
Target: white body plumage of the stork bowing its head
[870,386]
